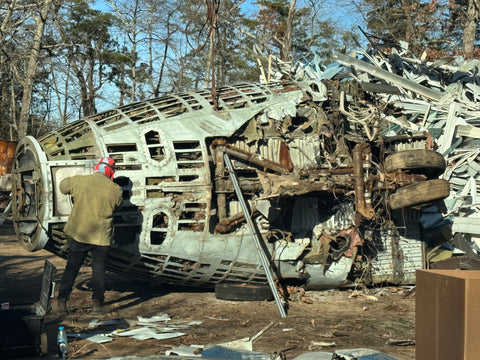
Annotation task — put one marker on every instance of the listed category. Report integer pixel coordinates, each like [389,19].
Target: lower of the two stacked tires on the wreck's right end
[419,193]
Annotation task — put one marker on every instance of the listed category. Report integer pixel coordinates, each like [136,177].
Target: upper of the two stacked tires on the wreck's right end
[420,161]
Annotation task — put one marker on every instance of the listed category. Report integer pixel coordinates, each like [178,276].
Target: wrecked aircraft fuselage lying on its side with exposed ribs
[309,168]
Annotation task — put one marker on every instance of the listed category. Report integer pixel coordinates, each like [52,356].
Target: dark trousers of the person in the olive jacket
[76,256]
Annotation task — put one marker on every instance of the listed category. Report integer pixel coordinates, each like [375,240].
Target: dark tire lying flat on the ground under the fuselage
[243,292]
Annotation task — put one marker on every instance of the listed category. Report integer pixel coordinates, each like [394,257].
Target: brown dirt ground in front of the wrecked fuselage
[316,320]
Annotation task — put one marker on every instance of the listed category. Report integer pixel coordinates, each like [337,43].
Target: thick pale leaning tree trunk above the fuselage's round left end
[31,70]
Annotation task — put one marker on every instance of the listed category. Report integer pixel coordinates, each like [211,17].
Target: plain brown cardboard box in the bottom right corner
[447,315]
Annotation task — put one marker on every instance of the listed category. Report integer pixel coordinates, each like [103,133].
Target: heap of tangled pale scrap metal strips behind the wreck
[441,97]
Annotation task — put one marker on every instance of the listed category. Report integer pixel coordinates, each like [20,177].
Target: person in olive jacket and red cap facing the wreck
[89,228]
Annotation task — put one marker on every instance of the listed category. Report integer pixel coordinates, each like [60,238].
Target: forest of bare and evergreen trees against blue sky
[61,60]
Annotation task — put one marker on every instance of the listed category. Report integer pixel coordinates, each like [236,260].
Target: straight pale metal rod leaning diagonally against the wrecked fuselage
[260,250]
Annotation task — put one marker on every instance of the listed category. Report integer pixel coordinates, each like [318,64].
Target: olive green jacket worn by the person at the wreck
[95,197]
